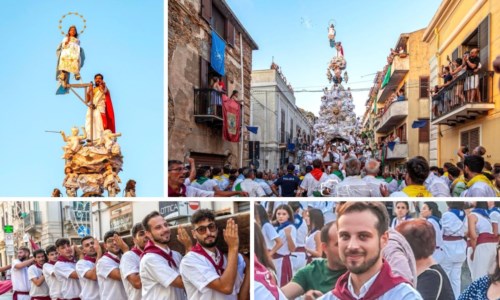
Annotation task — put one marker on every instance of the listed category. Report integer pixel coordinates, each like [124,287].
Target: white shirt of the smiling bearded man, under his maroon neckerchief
[402,291]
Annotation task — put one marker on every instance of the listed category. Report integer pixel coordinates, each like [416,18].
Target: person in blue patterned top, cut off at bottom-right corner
[486,287]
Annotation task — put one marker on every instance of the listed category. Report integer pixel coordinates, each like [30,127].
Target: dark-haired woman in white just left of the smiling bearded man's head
[315,221]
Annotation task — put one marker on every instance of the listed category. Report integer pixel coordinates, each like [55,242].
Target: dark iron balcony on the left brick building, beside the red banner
[208,107]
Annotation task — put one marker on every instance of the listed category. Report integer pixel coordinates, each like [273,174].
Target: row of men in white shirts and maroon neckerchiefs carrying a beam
[109,270]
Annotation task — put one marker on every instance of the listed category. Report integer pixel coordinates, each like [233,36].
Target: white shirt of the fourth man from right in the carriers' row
[109,289]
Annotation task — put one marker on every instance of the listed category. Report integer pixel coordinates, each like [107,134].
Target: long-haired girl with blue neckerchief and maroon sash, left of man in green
[288,234]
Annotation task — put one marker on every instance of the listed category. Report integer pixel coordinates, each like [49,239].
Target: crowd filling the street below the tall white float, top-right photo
[346,174]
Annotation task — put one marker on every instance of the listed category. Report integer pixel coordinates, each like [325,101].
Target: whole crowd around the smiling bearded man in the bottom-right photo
[353,250]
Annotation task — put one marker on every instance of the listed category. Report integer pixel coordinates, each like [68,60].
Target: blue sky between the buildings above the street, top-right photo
[295,33]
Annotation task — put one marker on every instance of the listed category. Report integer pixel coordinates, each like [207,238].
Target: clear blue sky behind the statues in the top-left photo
[124,42]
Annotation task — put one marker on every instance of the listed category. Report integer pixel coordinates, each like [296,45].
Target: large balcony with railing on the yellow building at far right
[453,109]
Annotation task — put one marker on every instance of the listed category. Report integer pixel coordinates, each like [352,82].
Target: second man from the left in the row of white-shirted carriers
[39,288]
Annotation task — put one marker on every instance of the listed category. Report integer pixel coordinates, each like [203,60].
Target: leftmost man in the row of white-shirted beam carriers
[19,274]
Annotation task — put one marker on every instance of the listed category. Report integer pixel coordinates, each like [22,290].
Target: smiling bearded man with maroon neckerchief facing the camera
[362,231]
